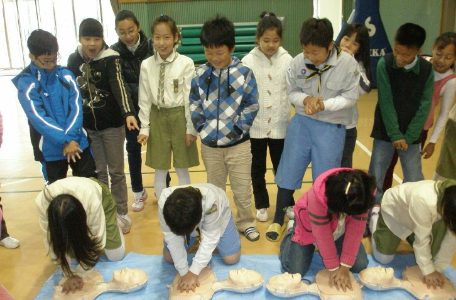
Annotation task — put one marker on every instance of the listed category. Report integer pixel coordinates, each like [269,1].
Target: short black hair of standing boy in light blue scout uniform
[318,32]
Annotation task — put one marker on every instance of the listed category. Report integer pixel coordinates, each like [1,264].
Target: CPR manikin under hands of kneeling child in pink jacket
[290,285]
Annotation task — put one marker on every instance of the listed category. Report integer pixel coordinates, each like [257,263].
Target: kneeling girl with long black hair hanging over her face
[77,217]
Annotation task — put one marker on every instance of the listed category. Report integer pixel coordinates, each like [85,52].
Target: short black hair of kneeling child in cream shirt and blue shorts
[183,210]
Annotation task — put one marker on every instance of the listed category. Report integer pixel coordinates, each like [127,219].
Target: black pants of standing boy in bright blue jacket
[84,167]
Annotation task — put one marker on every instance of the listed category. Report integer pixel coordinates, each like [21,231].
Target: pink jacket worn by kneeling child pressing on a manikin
[313,225]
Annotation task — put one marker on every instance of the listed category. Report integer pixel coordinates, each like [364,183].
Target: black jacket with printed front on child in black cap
[106,98]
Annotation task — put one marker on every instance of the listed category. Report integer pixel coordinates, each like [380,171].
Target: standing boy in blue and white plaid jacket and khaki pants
[223,104]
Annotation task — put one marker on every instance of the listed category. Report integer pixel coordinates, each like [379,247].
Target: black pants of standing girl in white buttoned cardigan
[259,149]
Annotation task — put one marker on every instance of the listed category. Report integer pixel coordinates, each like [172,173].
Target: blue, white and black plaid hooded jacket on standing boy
[223,103]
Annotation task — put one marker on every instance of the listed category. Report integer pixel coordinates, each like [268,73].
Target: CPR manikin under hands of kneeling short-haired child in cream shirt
[239,281]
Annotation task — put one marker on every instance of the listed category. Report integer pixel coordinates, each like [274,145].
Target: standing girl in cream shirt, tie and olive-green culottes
[164,89]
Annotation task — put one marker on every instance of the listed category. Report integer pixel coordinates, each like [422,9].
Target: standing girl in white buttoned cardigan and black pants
[269,63]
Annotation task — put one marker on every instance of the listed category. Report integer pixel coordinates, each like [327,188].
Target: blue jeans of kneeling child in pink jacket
[296,258]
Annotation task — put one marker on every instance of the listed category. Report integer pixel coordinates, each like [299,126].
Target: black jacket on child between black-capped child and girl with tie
[131,63]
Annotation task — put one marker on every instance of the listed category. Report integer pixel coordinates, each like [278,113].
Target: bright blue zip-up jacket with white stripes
[53,105]
